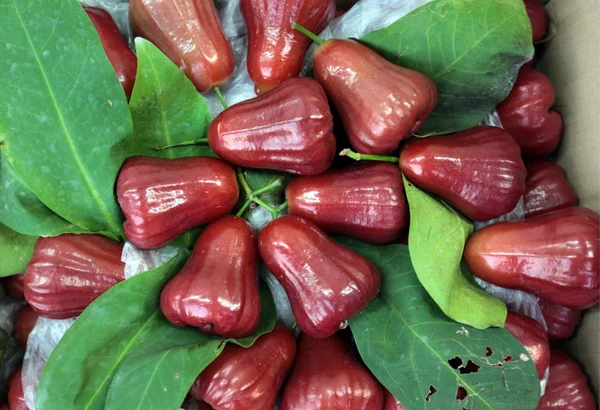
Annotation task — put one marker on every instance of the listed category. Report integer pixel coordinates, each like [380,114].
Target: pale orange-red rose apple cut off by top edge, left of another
[190,34]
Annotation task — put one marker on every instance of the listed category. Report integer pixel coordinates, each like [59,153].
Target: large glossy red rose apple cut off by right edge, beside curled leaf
[554,256]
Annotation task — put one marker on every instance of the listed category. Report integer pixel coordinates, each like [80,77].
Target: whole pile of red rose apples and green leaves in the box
[377,258]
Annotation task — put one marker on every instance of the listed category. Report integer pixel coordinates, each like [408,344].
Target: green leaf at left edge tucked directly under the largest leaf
[23,212]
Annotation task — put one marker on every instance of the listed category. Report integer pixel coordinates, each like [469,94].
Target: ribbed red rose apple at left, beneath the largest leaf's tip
[68,272]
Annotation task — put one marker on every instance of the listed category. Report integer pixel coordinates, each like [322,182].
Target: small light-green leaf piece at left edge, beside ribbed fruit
[15,251]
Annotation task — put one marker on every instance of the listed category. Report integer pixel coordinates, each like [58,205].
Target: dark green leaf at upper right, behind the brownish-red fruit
[472,50]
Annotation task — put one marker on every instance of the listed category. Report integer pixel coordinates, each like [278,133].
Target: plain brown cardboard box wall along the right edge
[571,59]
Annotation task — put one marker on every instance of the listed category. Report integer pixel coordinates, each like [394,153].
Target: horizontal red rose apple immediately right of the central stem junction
[365,201]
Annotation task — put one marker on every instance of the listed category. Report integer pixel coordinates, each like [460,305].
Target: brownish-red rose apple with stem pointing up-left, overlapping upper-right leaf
[379,103]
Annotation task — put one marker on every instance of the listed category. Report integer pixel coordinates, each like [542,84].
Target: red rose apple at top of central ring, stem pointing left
[289,129]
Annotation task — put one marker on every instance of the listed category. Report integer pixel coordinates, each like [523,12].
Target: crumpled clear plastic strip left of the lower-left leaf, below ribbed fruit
[42,340]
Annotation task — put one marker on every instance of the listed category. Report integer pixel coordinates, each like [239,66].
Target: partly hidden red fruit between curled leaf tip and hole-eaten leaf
[533,337]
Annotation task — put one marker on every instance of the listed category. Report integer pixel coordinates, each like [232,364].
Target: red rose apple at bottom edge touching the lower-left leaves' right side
[248,379]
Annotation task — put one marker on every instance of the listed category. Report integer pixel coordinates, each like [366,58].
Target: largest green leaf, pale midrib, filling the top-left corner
[64,119]
